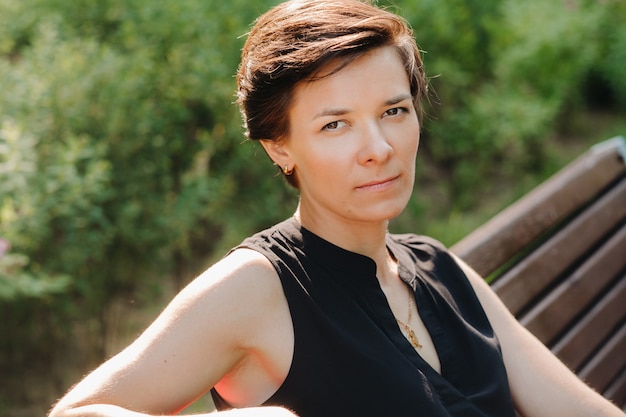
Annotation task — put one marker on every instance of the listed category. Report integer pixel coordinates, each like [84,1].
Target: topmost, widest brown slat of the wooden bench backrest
[490,246]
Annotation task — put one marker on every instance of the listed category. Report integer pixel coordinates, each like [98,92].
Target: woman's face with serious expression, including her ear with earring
[353,140]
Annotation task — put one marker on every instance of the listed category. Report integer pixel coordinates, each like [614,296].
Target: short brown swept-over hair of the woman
[289,43]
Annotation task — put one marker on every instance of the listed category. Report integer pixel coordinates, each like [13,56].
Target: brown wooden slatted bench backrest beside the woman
[557,258]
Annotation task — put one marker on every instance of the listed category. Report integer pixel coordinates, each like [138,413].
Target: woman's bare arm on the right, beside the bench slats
[541,384]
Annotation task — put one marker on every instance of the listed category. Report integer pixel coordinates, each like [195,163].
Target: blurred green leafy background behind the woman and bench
[124,171]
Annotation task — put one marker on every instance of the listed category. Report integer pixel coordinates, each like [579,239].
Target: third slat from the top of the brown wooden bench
[556,310]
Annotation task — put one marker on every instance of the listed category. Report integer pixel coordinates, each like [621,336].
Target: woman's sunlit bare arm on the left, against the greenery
[212,327]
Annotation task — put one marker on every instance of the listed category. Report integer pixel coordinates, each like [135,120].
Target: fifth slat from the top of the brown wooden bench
[602,370]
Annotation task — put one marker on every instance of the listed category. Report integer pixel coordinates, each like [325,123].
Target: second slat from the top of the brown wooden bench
[518,286]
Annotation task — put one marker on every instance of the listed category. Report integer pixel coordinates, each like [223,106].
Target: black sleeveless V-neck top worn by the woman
[350,357]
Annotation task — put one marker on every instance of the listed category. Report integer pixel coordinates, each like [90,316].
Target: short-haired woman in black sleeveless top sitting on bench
[327,313]
